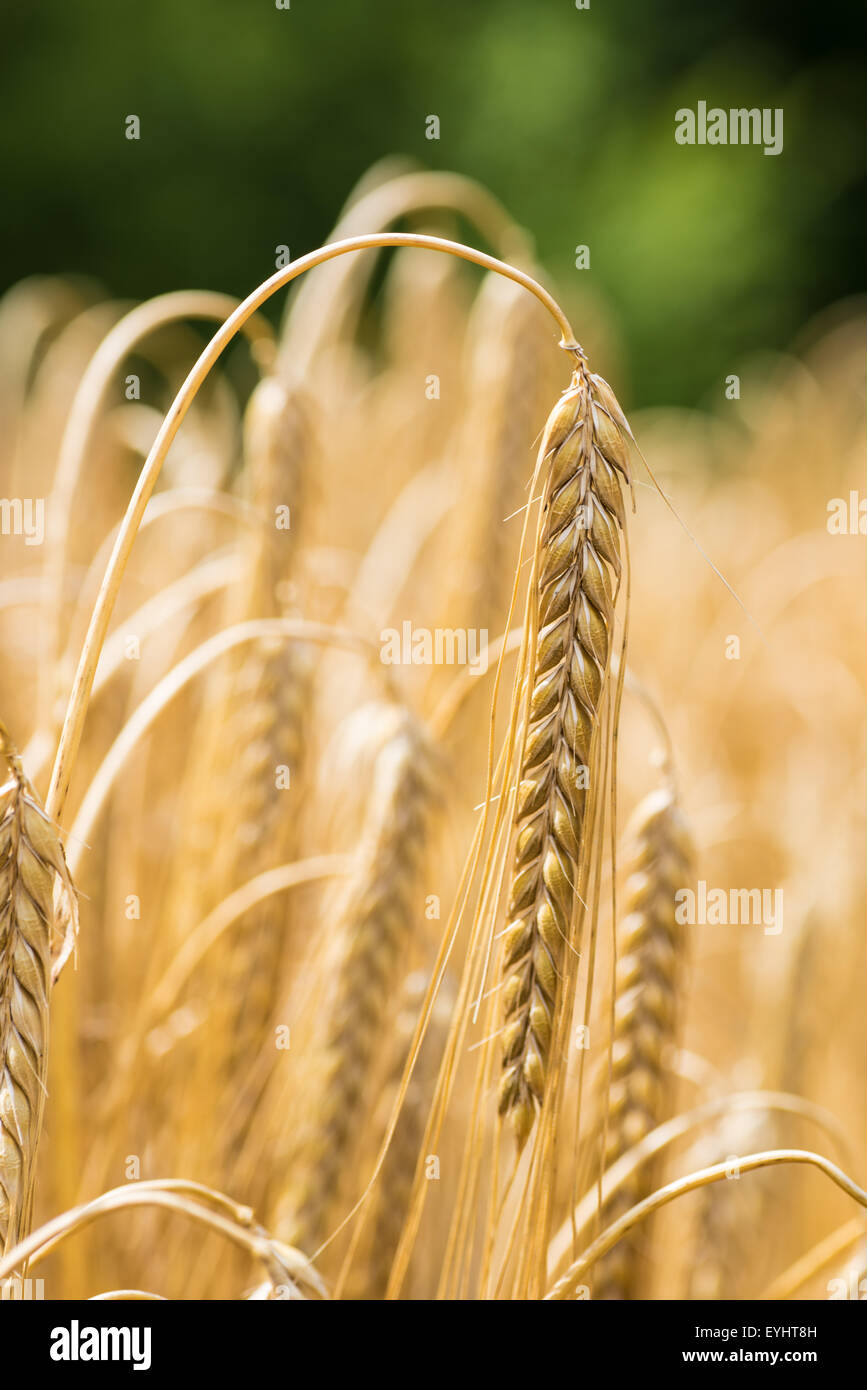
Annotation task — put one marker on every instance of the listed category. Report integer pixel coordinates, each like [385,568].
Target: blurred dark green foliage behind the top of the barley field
[258,122]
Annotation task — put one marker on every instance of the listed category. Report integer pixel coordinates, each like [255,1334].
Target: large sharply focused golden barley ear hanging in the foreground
[579,568]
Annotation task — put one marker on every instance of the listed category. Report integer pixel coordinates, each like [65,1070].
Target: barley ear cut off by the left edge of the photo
[31,865]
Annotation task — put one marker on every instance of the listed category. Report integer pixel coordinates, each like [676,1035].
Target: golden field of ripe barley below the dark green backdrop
[433,794]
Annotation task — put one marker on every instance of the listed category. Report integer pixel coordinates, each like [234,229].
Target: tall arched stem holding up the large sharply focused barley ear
[101,618]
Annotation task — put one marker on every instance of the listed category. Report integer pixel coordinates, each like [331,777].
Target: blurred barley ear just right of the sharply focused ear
[651,951]
